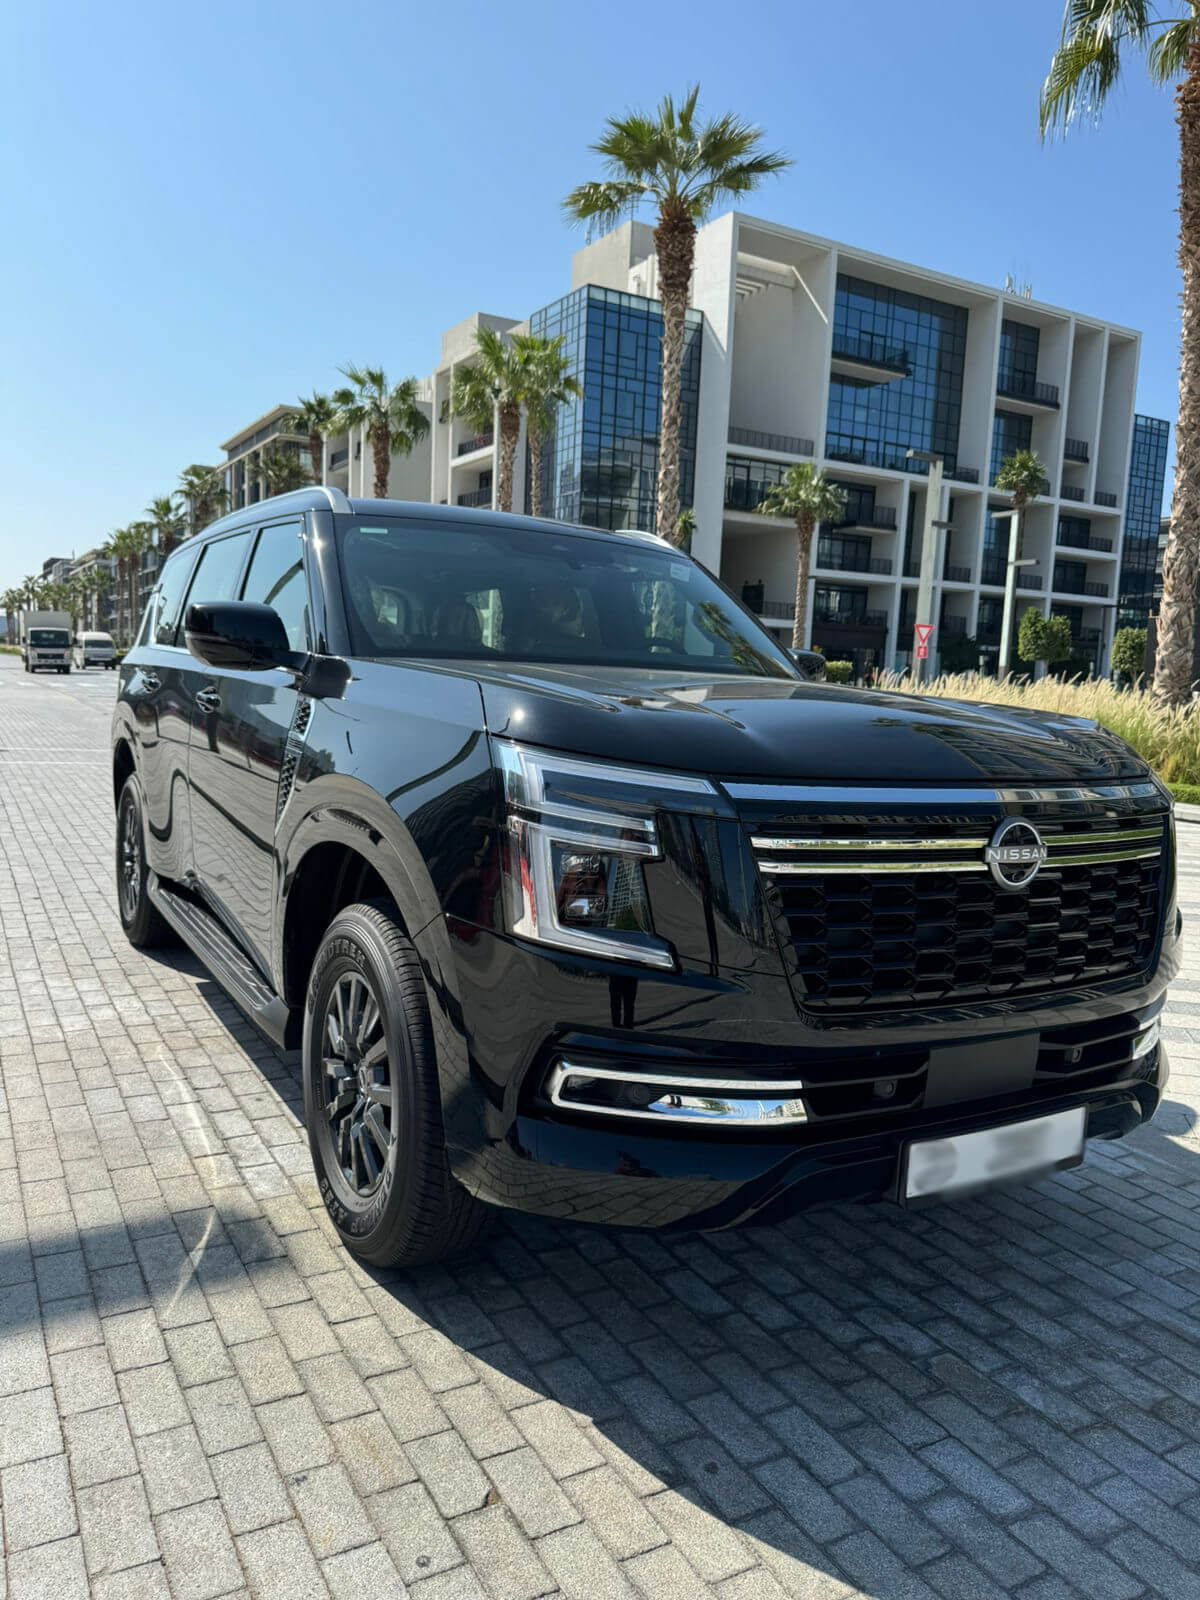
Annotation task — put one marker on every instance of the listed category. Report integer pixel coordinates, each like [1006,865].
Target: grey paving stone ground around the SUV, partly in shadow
[202,1394]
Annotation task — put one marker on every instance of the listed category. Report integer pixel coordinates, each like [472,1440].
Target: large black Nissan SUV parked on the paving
[580,900]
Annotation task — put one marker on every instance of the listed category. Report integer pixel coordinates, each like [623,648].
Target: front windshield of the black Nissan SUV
[530,594]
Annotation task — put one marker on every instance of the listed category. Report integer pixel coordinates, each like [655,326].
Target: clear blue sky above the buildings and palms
[210,209]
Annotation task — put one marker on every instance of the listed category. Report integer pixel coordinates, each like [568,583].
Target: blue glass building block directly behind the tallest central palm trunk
[601,465]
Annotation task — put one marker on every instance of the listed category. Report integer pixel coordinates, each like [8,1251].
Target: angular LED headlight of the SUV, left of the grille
[578,836]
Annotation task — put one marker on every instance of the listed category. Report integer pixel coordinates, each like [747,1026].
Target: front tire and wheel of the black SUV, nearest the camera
[382,1169]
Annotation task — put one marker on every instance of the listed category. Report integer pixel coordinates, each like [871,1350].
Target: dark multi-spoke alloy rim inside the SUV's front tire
[358,1079]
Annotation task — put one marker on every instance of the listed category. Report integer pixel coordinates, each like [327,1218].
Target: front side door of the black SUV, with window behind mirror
[239,735]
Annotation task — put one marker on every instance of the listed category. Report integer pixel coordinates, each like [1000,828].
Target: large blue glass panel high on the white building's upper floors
[879,422]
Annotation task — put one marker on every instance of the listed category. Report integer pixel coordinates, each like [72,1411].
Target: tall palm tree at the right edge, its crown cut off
[1082,73]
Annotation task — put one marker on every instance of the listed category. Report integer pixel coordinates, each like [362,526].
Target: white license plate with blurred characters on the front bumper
[975,1161]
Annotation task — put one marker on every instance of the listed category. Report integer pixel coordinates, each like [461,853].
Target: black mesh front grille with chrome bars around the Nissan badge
[881,914]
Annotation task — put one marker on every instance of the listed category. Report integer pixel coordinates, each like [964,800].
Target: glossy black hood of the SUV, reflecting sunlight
[778,729]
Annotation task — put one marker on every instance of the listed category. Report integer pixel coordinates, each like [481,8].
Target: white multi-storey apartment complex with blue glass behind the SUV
[806,350]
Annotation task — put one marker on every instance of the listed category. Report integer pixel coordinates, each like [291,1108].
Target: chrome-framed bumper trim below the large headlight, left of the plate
[729,1103]
